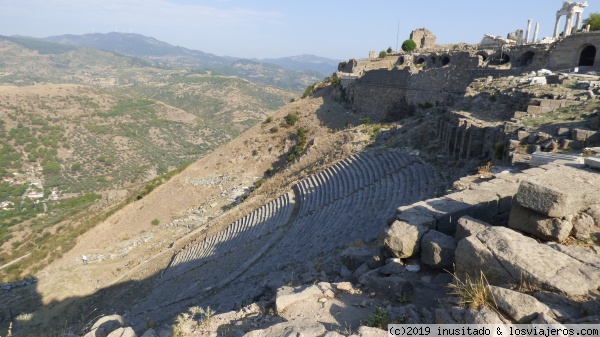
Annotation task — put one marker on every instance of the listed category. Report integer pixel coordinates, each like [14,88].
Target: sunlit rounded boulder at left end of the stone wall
[403,239]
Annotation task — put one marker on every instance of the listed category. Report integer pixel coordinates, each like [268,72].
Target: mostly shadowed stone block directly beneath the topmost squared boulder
[543,227]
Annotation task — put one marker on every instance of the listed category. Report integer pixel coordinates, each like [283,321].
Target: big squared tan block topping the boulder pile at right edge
[560,192]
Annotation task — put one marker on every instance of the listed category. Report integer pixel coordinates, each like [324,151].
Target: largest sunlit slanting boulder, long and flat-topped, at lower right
[506,256]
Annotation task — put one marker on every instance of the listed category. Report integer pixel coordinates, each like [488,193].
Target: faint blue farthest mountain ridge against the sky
[152,49]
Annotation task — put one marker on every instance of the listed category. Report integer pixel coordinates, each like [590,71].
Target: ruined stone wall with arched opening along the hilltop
[443,77]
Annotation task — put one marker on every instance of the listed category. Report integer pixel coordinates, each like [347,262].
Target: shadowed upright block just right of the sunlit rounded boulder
[437,250]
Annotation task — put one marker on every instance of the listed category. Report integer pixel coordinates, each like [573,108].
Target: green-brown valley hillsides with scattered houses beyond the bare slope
[79,124]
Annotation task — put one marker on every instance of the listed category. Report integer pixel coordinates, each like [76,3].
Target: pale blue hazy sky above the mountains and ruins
[270,28]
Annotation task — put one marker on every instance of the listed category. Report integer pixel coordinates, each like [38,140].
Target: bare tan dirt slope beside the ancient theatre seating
[127,248]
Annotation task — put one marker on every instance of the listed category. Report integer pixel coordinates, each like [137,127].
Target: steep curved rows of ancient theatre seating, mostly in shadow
[344,203]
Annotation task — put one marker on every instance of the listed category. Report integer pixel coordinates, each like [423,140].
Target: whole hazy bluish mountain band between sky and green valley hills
[294,73]
